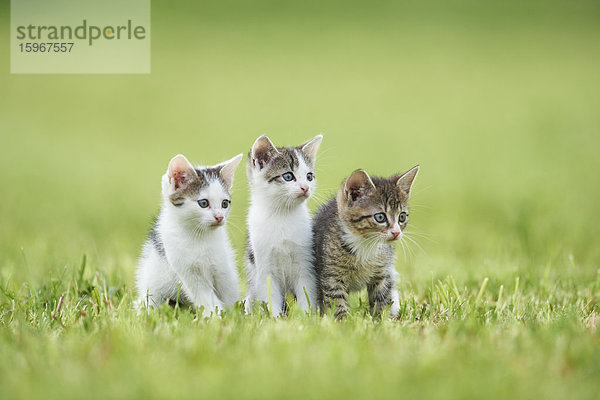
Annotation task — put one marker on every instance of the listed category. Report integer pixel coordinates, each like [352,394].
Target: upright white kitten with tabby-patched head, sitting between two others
[279,227]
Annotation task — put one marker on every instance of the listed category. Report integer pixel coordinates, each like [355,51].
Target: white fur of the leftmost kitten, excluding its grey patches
[199,257]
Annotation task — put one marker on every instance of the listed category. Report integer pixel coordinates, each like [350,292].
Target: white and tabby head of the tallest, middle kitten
[284,175]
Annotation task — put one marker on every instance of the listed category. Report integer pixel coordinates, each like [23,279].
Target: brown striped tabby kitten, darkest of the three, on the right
[354,235]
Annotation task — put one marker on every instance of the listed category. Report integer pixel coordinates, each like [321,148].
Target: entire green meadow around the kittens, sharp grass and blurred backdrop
[497,102]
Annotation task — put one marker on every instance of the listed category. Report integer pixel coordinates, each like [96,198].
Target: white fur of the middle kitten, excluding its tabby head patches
[279,227]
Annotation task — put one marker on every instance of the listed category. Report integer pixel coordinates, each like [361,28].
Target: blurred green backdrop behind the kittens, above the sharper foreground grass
[497,101]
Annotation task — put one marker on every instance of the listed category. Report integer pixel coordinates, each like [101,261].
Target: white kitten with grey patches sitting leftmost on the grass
[188,253]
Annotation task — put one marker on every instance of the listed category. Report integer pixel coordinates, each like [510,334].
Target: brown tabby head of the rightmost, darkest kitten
[376,207]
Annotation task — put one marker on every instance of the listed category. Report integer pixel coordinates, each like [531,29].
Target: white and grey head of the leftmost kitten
[200,196]
